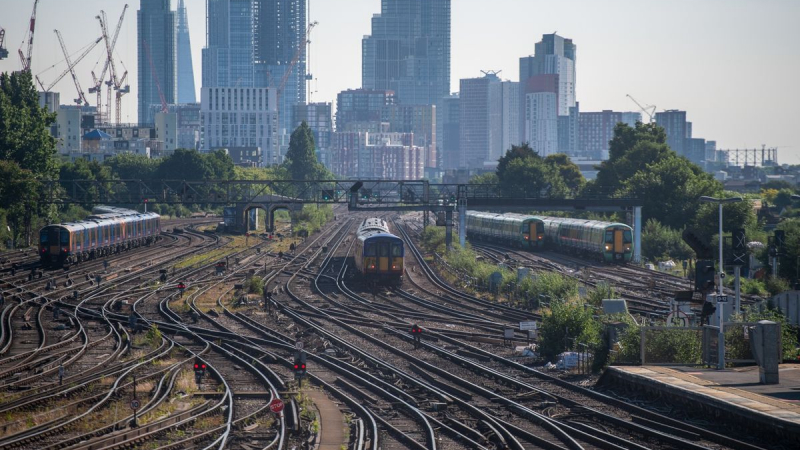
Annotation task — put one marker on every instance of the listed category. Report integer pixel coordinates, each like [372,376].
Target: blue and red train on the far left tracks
[106,231]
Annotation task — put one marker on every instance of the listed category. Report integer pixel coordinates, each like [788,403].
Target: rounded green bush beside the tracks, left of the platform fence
[566,324]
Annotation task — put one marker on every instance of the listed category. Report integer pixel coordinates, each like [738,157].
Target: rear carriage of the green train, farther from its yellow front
[517,230]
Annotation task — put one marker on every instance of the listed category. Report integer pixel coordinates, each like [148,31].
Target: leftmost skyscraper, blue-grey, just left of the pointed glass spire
[157,40]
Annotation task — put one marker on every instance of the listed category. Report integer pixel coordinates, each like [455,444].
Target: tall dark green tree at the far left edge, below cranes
[24,135]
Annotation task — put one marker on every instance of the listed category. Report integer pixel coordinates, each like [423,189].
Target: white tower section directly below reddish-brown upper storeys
[541,122]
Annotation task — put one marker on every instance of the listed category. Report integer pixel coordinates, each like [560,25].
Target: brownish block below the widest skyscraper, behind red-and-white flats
[417,119]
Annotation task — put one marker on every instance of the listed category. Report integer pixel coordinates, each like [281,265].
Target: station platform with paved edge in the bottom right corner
[734,394]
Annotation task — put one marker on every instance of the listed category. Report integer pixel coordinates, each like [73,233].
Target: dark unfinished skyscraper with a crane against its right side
[280,37]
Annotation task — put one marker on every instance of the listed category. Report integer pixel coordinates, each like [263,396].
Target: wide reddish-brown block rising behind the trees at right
[597,128]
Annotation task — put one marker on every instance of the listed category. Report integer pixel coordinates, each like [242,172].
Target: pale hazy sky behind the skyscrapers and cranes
[733,65]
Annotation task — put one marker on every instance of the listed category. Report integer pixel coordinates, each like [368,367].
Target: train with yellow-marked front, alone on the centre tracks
[378,253]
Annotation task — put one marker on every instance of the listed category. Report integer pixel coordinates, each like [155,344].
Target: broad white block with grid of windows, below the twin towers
[240,117]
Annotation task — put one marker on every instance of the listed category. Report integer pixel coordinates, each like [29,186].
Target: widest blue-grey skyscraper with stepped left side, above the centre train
[409,51]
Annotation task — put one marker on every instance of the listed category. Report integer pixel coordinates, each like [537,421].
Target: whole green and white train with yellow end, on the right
[607,241]
